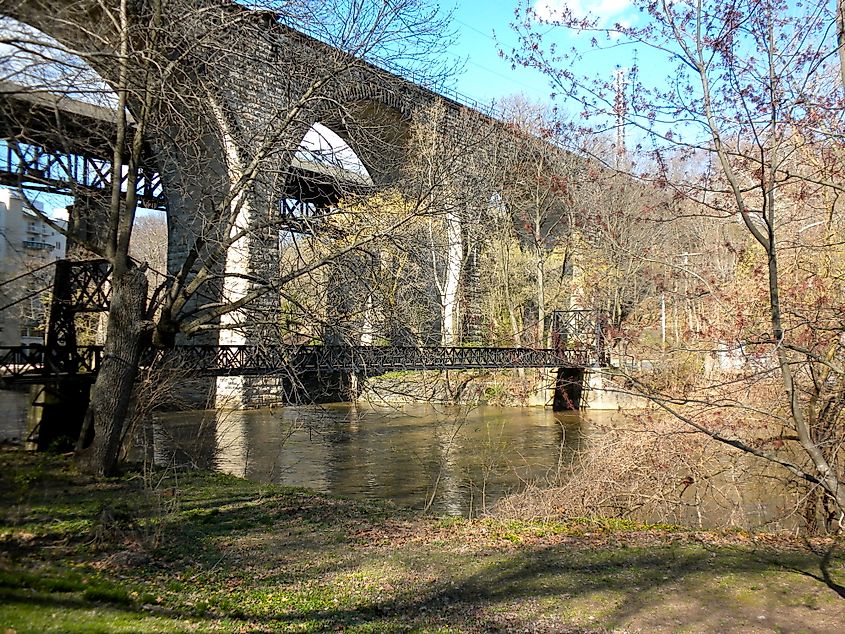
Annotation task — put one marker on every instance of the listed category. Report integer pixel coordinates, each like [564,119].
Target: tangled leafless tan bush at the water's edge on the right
[650,469]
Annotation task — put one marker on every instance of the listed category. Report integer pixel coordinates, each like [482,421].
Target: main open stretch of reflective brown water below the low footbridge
[453,459]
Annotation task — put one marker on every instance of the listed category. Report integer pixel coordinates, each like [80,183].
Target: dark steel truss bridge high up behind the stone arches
[67,149]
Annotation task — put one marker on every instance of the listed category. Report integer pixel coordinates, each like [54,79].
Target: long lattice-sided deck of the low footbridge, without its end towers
[34,364]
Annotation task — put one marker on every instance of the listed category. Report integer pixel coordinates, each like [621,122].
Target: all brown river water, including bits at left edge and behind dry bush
[455,460]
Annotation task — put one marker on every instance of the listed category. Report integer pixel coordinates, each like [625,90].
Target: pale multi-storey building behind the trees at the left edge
[27,245]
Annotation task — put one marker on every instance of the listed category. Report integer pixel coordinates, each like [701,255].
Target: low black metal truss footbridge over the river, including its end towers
[82,286]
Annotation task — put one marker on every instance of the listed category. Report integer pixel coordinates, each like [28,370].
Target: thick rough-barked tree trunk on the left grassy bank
[126,340]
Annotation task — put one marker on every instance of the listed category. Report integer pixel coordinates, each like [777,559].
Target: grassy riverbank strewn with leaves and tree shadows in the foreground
[201,552]
